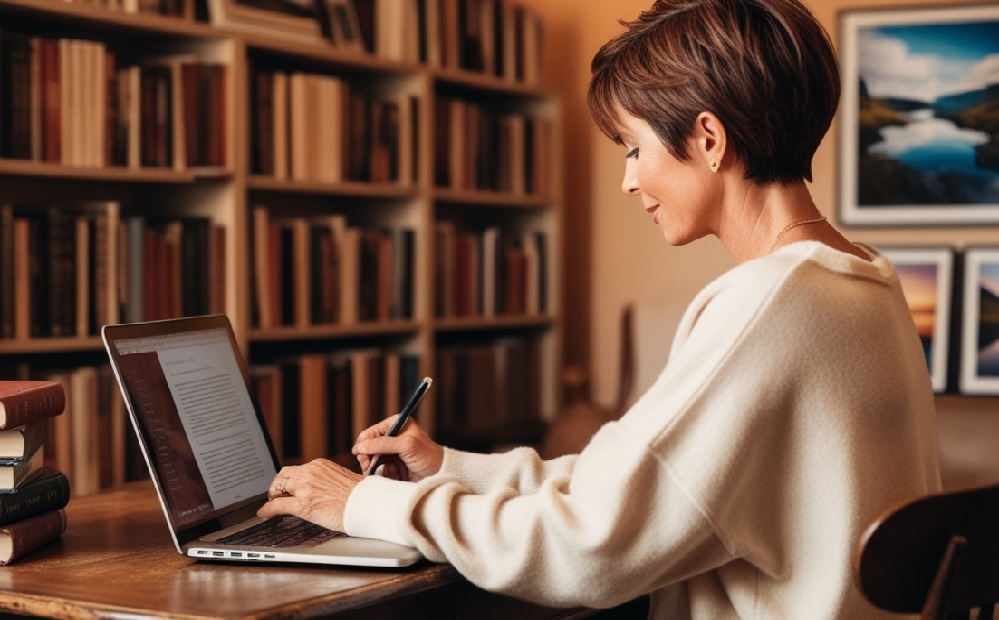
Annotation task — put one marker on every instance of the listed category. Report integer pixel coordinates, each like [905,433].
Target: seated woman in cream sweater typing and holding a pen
[796,405]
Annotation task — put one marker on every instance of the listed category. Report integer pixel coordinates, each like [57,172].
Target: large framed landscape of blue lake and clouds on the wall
[918,141]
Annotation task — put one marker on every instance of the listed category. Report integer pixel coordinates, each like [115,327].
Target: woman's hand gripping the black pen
[412,455]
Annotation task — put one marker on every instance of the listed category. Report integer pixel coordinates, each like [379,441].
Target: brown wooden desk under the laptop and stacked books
[116,559]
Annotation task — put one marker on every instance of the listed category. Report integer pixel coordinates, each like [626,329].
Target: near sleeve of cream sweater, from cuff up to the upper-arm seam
[581,538]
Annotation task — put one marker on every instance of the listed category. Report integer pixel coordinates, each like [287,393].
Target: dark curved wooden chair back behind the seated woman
[936,555]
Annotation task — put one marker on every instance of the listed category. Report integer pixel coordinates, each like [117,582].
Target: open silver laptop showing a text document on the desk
[202,434]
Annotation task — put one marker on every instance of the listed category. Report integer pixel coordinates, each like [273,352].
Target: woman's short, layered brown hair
[766,68]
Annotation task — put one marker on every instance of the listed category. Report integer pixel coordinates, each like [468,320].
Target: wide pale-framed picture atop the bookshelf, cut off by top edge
[299,19]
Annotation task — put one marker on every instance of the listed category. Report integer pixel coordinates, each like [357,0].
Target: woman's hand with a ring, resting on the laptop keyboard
[316,492]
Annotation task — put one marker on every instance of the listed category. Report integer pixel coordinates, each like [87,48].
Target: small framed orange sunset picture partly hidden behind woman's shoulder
[927,277]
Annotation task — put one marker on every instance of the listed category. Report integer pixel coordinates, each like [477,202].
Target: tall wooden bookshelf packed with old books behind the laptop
[364,218]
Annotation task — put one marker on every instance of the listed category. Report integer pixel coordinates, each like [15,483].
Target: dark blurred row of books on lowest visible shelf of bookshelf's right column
[482,387]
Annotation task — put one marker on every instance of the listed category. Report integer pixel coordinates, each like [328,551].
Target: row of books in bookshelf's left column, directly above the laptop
[66,269]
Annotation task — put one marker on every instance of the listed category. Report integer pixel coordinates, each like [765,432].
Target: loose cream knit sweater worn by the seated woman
[795,408]
